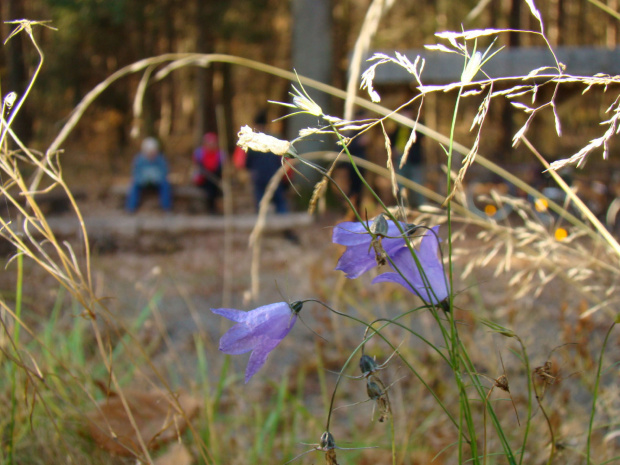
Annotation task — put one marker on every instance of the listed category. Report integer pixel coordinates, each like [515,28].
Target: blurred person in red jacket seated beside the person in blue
[208,168]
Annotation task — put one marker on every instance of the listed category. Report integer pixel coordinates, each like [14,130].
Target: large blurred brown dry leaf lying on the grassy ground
[157,417]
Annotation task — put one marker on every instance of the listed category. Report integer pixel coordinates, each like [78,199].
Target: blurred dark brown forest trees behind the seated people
[95,38]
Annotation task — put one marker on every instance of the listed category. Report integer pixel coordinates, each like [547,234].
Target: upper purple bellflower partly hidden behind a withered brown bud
[360,255]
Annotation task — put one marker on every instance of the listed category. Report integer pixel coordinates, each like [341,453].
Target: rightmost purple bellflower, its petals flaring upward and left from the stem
[411,278]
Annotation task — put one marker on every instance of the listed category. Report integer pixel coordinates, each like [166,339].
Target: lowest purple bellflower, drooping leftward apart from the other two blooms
[259,330]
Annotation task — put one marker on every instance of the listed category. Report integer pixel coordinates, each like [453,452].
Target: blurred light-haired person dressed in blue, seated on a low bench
[149,171]
